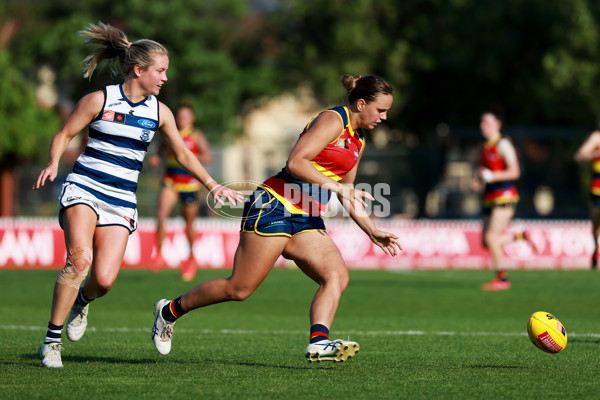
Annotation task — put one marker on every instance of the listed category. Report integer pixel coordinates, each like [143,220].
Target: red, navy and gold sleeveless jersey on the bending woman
[334,161]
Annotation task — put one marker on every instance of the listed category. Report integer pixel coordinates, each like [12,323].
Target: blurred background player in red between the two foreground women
[180,185]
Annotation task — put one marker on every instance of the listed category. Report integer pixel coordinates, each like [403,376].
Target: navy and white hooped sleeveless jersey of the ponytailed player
[118,141]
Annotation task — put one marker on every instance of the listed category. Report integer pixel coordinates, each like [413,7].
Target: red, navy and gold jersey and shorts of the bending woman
[286,205]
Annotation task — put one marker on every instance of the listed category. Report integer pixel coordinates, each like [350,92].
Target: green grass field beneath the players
[423,335]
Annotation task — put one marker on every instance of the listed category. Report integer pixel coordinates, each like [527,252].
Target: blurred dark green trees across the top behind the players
[535,61]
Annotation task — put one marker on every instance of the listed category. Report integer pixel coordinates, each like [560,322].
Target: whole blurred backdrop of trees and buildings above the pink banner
[256,71]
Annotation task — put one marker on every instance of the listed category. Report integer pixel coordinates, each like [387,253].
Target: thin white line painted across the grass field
[291,332]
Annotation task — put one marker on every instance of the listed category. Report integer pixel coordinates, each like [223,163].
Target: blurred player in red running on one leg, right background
[499,169]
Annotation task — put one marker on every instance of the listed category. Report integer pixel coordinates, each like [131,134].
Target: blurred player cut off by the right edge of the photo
[590,151]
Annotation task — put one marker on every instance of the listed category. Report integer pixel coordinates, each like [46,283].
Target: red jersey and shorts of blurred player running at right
[496,192]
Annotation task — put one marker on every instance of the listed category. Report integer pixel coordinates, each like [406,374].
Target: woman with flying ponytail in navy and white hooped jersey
[98,202]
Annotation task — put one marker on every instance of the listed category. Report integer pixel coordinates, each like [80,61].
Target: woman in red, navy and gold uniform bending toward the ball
[283,217]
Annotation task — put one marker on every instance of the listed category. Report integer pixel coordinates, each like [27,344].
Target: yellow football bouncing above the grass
[546,332]
